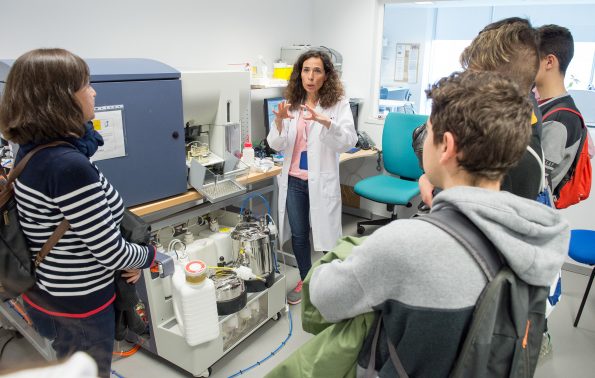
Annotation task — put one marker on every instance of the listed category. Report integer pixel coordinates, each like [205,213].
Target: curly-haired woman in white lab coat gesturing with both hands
[312,127]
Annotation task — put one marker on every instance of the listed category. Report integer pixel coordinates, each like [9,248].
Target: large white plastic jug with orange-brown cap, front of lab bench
[195,304]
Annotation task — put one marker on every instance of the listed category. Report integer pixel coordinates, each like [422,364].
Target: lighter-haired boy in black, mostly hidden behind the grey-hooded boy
[508,46]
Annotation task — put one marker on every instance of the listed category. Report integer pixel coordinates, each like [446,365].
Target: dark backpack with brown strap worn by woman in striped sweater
[17,263]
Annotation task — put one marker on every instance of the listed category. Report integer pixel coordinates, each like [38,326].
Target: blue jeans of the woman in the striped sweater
[93,335]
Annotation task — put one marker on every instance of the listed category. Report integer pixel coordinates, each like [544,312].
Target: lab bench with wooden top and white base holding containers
[166,339]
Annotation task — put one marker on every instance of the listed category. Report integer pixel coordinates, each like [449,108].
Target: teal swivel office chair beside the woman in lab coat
[398,160]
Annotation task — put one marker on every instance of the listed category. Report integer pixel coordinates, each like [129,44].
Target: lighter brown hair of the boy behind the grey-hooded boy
[509,46]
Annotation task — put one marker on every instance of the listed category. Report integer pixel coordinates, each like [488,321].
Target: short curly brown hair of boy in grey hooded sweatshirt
[489,117]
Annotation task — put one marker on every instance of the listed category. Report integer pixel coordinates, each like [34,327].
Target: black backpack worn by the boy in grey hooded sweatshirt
[506,330]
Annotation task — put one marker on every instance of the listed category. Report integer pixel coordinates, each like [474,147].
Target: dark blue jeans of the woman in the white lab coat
[298,213]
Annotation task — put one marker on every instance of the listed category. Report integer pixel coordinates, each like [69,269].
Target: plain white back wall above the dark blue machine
[201,34]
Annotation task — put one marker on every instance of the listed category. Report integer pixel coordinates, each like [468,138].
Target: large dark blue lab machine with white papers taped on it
[139,114]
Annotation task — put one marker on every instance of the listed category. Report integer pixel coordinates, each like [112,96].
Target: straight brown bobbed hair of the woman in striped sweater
[39,103]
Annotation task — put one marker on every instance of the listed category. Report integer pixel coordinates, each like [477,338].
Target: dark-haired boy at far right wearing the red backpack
[562,130]
